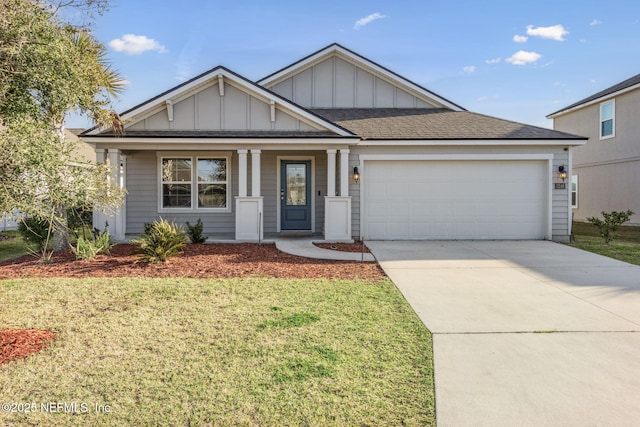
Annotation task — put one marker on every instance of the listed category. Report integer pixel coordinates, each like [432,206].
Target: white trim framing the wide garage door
[457,157]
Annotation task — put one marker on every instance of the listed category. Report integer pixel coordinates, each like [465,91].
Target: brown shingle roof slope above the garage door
[423,124]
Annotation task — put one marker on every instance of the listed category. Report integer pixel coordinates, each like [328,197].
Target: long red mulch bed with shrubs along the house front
[198,261]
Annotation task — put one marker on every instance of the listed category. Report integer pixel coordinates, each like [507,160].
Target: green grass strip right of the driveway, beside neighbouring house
[624,248]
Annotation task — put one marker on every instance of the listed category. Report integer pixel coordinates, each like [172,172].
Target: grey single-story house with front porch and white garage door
[337,145]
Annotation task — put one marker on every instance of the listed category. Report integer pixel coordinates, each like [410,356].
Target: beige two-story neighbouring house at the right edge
[606,170]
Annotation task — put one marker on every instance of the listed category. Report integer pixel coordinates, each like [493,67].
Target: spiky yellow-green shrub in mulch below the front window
[160,241]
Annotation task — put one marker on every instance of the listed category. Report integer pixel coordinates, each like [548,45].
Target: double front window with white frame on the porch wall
[194,183]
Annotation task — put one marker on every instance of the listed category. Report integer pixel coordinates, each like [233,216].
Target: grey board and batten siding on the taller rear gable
[348,86]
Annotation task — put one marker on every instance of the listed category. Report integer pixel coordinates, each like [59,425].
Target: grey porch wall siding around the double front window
[142,197]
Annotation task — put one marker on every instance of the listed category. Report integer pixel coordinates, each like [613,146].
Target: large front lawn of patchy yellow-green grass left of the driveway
[219,352]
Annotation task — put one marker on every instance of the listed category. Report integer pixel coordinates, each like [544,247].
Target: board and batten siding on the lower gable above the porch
[207,110]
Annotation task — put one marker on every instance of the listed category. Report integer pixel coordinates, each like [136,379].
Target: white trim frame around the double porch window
[194,156]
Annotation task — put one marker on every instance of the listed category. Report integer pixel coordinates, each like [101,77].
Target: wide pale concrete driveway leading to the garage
[524,333]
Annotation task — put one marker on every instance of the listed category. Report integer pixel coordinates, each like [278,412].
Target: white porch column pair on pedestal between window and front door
[249,209]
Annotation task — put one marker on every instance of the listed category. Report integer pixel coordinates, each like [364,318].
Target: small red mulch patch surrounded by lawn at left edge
[20,343]
